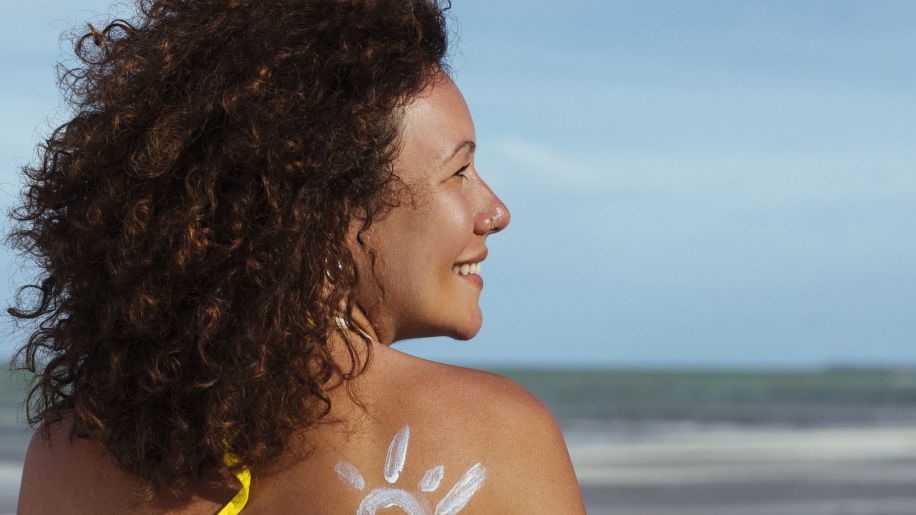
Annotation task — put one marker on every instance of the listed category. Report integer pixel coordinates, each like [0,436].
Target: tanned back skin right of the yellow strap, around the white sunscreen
[457,417]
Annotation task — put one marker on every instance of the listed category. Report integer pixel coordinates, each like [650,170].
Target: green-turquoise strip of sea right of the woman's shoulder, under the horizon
[794,398]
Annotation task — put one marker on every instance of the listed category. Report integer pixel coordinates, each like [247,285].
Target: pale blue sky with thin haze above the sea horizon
[703,183]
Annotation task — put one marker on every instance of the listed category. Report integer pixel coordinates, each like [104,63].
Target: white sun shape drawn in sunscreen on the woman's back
[388,497]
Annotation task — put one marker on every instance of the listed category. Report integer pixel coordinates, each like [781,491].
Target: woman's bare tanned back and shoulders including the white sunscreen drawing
[434,439]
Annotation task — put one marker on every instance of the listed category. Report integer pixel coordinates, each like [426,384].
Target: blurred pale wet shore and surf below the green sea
[851,471]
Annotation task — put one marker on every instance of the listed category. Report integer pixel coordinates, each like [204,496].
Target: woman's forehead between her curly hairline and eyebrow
[434,123]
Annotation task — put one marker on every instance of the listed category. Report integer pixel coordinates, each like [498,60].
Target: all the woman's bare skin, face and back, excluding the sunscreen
[457,416]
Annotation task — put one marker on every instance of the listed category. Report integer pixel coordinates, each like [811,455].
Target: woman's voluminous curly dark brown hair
[185,217]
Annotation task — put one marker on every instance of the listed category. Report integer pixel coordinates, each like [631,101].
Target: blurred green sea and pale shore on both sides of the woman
[667,441]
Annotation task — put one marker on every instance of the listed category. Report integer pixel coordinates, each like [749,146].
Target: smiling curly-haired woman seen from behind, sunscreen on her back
[252,202]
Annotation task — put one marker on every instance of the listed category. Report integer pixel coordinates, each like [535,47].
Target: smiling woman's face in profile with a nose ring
[420,244]
